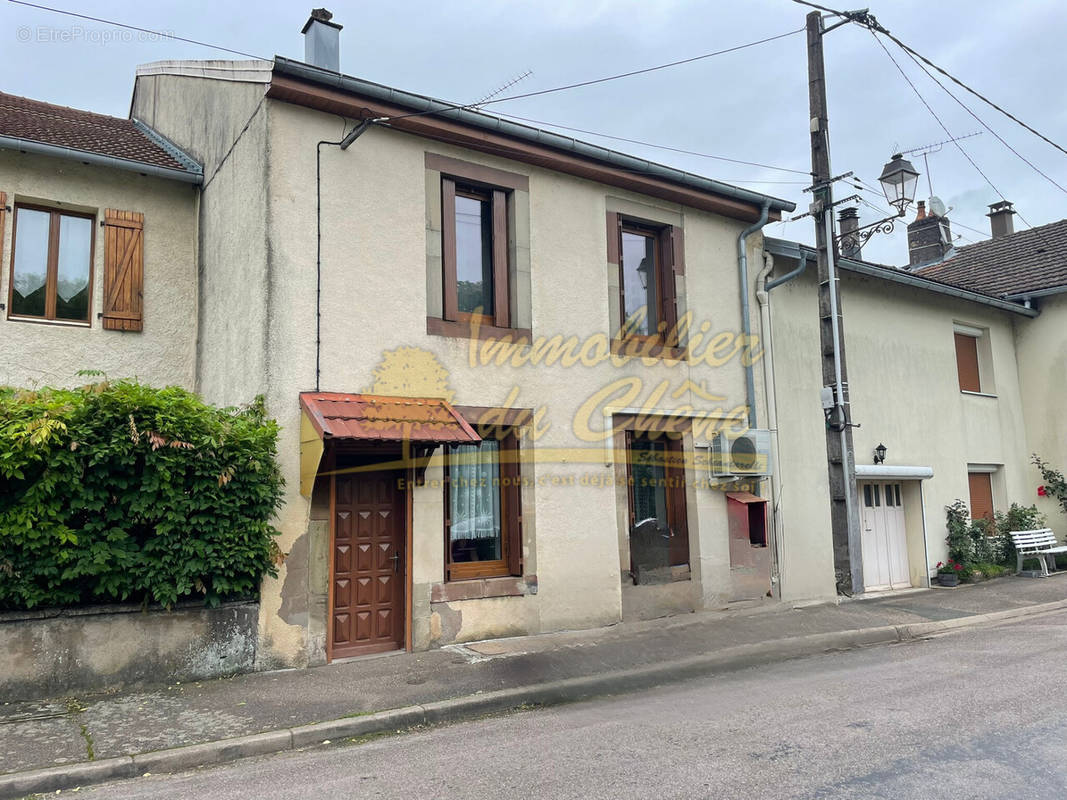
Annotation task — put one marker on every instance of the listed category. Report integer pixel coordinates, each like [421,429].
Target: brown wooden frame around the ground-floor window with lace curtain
[511,563]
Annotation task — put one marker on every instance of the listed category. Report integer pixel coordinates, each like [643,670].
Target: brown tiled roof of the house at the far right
[1027,261]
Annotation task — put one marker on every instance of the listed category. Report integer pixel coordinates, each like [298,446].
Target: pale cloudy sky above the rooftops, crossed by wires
[751,105]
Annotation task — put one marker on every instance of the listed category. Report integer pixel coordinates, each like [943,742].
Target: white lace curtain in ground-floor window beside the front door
[475,491]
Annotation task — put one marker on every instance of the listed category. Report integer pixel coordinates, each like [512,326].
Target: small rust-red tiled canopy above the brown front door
[375,418]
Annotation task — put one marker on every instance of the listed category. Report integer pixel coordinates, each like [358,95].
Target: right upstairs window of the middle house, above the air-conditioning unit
[650,260]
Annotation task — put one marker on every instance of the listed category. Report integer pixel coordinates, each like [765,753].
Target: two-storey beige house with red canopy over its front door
[448,291]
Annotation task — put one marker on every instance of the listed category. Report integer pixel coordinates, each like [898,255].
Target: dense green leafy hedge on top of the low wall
[123,492]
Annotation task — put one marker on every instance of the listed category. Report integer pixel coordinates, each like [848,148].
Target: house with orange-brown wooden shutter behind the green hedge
[98,249]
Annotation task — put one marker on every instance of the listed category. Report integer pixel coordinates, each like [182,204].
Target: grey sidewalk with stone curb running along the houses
[88,740]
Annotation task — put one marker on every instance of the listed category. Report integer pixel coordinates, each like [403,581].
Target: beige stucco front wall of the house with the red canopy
[374,302]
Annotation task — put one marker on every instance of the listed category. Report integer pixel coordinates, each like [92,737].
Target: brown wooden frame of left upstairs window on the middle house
[499,199]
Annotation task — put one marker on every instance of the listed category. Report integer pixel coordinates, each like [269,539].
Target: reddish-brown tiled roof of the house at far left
[22,118]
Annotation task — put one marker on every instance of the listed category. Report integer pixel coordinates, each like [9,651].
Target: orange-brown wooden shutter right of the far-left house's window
[123,270]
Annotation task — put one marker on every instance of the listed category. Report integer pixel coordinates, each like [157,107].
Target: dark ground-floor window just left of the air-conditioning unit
[659,531]
